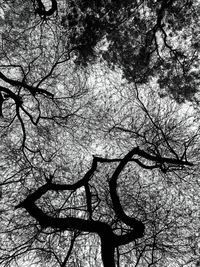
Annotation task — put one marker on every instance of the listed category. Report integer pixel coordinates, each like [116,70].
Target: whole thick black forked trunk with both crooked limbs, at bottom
[109,240]
